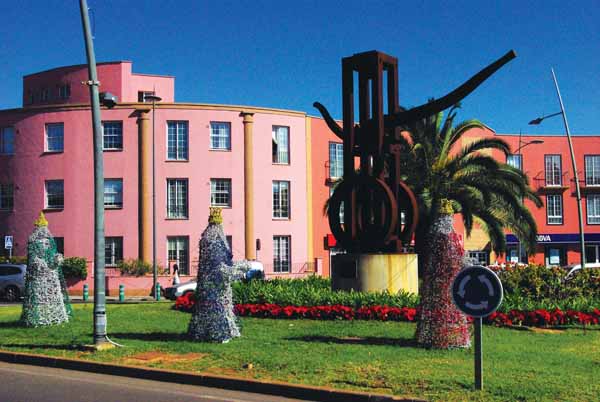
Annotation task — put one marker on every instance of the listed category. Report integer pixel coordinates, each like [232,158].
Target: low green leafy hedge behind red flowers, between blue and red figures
[313,291]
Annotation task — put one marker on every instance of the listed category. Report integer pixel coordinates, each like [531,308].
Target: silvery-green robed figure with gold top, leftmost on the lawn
[45,300]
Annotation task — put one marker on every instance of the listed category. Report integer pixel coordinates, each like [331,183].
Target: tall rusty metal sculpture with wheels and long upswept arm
[375,197]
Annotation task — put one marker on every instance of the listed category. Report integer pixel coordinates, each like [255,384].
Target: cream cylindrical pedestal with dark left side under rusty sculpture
[375,272]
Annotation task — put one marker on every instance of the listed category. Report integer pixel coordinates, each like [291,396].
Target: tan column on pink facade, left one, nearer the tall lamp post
[145,185]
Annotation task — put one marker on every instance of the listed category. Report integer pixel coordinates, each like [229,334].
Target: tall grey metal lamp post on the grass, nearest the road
[100,338]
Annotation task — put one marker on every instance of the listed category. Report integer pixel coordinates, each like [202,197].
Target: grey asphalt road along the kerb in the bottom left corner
[22,383]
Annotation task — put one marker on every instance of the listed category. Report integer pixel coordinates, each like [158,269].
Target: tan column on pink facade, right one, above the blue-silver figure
[249,186]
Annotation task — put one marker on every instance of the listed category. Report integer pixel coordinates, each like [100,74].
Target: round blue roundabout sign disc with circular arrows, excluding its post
[477,291]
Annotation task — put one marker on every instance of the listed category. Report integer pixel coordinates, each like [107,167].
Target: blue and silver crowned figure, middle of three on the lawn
[213,318]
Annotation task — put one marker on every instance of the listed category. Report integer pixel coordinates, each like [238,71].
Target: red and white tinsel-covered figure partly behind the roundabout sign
[441,325]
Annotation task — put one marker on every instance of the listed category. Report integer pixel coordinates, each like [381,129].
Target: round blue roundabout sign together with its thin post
[477,292]
